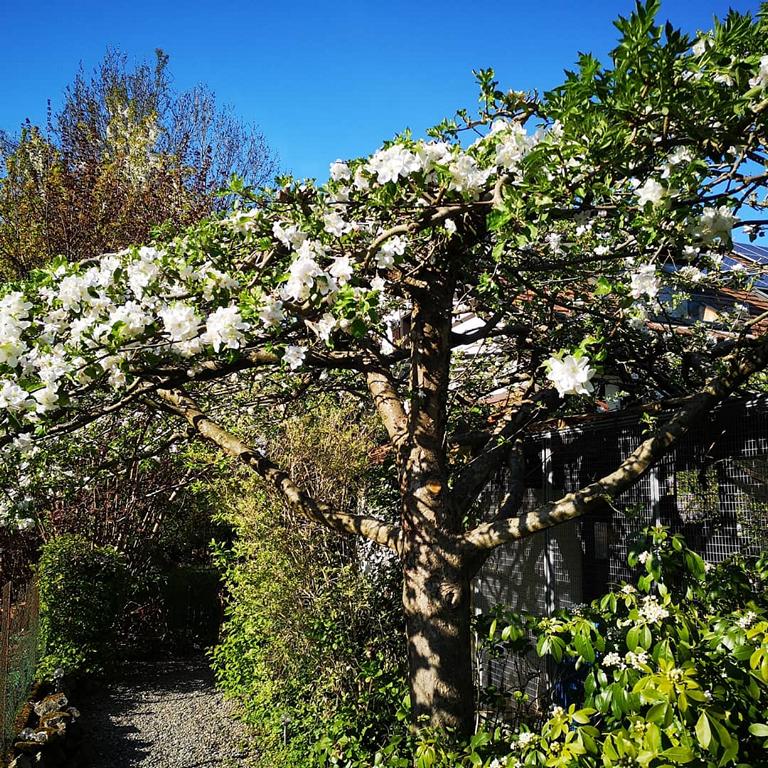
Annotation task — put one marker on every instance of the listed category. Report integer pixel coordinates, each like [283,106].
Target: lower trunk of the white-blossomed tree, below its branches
[437,601]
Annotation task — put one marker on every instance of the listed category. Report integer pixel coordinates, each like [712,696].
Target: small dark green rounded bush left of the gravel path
[82,589]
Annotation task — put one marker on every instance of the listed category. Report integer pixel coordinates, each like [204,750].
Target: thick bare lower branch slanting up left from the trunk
[371,528]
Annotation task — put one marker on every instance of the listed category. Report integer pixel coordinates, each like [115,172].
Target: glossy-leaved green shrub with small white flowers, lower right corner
[673,670]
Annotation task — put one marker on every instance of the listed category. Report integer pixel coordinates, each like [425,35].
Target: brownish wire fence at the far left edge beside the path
[19,640]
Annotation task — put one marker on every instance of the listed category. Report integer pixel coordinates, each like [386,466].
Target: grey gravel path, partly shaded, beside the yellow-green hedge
[164,714]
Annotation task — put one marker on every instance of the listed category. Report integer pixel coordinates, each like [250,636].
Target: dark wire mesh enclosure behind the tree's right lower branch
[712,488]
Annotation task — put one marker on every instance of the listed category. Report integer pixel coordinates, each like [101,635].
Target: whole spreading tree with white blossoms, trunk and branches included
[463,292]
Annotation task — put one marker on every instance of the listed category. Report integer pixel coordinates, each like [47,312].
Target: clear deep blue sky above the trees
[321,79]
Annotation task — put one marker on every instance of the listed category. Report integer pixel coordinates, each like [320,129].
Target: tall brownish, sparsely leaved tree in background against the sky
[124,154]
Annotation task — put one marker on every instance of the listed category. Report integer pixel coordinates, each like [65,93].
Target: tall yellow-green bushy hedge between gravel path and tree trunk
[313,642]
